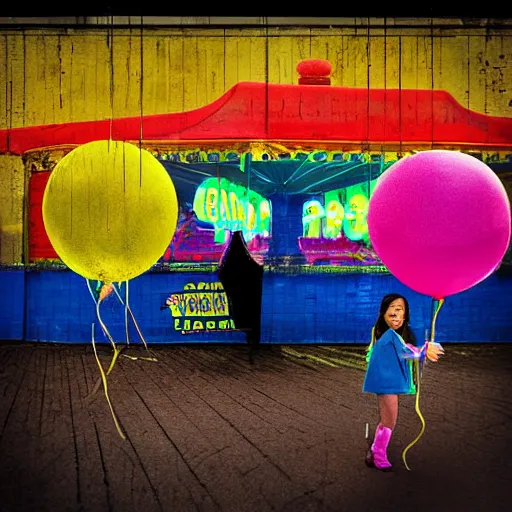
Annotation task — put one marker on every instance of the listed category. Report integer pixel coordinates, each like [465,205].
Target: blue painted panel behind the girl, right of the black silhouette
[341,308]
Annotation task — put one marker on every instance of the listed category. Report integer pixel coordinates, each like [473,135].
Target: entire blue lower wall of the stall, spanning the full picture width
[312,308]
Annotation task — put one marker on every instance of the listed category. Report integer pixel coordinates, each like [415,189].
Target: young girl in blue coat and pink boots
[390,371]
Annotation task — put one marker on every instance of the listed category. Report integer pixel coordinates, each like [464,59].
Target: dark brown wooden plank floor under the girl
[205,430]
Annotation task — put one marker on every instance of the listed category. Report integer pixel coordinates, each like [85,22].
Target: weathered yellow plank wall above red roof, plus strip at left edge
[62,75]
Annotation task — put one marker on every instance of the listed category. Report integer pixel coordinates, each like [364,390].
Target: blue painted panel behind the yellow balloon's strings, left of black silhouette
[61,309]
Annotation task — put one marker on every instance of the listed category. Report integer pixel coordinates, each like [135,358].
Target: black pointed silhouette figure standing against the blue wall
[242,278]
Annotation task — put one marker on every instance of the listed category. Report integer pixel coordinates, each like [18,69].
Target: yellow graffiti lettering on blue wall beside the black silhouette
[200,306]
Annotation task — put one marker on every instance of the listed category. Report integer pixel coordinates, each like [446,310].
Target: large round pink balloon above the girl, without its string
[440,221]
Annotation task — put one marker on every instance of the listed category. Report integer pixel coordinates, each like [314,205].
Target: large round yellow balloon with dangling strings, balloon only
[110,210]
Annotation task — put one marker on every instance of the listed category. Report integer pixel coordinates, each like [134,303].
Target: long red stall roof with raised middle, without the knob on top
[298,113]
